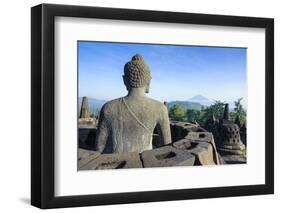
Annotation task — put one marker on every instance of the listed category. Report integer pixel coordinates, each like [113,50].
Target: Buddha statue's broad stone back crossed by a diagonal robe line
[130,123]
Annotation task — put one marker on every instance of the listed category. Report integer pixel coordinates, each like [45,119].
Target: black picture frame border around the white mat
[43,105]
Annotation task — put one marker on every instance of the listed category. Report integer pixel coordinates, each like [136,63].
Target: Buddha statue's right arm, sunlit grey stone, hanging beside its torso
[164,124]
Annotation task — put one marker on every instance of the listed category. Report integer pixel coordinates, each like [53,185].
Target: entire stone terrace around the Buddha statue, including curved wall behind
[191,146]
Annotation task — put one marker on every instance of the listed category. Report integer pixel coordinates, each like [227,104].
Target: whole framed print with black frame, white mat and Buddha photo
[139,106]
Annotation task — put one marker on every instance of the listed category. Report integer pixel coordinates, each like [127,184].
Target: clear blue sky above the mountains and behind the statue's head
[178,72]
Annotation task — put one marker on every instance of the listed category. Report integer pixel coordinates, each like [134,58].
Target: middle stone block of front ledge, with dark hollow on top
[167,156]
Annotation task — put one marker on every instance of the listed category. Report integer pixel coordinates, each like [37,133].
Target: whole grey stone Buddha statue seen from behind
[126,124]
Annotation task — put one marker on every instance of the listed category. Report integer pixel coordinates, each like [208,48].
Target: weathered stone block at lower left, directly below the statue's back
[114,161]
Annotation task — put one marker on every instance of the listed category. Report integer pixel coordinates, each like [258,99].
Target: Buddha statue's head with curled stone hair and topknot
[137,74]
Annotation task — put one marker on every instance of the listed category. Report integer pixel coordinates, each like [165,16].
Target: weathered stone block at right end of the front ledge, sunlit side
[203,151]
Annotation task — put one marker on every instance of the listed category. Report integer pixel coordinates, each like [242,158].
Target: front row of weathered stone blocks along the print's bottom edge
[194,149]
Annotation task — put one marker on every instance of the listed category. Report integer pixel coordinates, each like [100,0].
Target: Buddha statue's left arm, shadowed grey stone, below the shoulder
[102,133]
